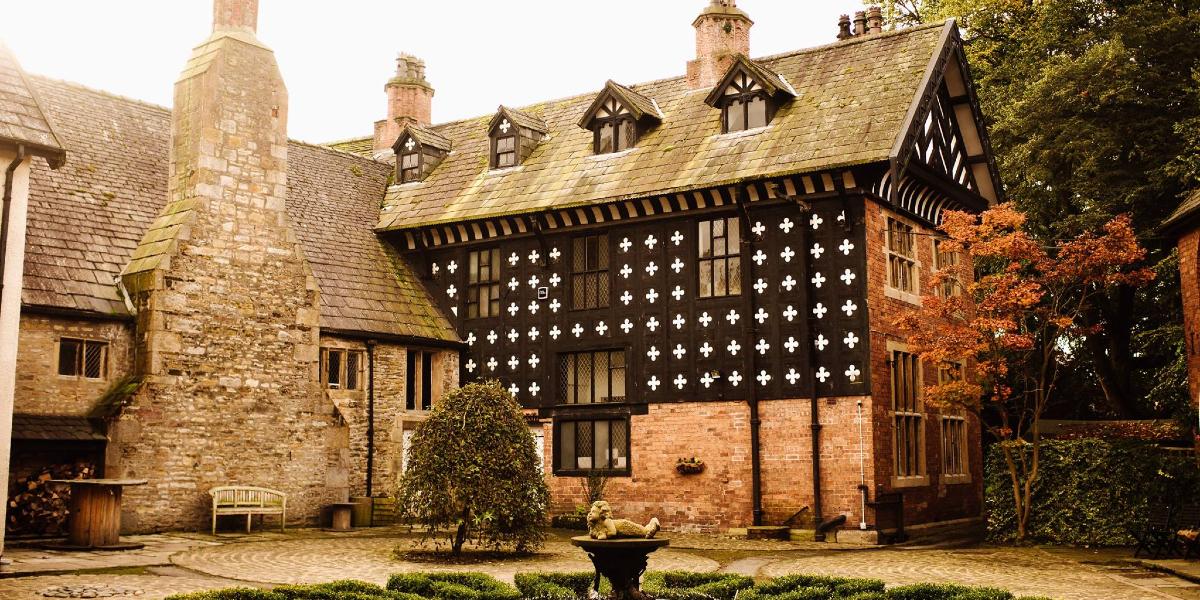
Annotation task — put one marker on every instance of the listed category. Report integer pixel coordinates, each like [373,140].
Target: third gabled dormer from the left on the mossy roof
[619,117]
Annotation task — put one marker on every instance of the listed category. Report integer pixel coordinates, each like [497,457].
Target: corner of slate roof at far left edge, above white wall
[22,121]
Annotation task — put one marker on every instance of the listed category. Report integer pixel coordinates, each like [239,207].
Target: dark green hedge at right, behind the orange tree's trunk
[1089,493]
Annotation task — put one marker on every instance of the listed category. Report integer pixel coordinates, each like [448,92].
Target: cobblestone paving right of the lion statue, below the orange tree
[1024,572]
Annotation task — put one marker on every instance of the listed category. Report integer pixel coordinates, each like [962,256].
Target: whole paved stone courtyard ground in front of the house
[188,562]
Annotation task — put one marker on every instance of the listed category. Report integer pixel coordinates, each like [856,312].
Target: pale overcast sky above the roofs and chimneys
[338,55]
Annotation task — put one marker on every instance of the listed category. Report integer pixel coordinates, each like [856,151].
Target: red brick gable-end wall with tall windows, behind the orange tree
[937,500]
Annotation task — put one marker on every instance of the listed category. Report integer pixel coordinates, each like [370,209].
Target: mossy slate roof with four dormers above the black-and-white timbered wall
[850,109]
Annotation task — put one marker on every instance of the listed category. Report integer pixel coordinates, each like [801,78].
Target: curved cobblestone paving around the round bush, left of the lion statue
[370,560]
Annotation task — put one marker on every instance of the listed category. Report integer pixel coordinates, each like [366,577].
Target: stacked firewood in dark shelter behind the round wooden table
[40,508]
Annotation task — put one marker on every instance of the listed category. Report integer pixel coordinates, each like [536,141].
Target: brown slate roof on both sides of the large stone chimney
[87,219]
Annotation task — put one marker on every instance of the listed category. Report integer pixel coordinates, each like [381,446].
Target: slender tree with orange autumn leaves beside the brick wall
[1017,308]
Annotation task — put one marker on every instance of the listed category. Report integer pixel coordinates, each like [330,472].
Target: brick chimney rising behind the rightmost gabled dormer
[722,32]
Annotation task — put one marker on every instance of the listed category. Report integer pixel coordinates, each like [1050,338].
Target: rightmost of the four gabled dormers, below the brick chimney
[749,95]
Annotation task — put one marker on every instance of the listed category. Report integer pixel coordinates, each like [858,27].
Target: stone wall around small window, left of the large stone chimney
[41,389]
